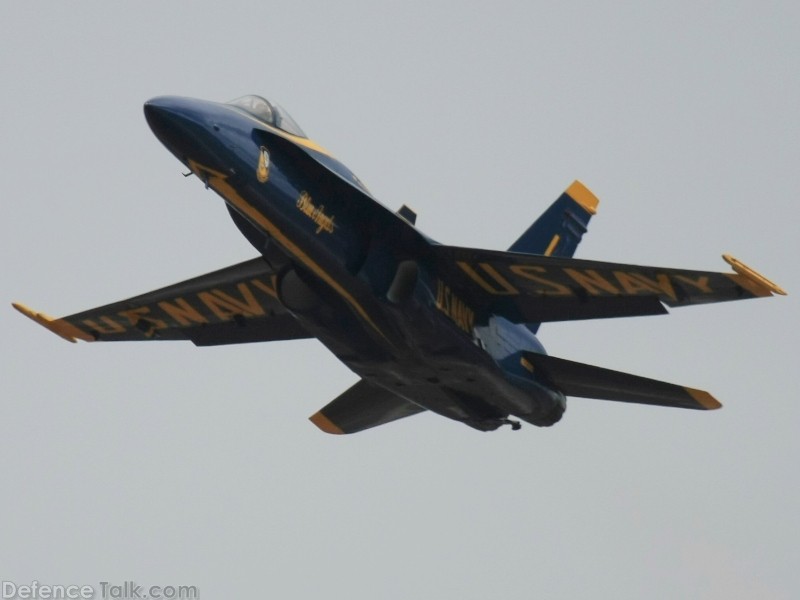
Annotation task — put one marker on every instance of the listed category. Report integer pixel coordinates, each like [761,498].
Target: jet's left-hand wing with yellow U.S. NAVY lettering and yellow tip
[233,305]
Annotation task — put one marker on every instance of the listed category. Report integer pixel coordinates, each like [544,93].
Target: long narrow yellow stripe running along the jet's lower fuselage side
[217,181]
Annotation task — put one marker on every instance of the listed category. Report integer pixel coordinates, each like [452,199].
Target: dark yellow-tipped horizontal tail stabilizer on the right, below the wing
[587,381]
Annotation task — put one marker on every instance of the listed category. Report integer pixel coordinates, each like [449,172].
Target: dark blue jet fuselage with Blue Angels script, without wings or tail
[356,275]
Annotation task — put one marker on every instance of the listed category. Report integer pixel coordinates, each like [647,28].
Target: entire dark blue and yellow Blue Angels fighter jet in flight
[425,326]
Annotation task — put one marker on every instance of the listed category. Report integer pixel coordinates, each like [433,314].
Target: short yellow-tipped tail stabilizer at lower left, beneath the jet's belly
[362,406]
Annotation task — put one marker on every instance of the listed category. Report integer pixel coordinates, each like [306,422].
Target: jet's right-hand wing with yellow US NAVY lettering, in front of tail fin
[536,288]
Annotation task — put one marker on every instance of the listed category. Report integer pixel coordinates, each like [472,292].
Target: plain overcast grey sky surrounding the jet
[169,464]
